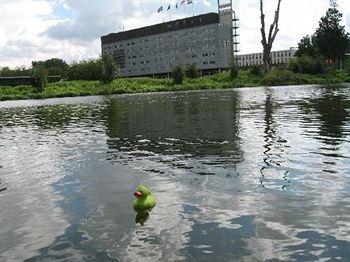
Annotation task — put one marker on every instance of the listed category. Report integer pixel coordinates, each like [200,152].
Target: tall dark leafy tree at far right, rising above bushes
[331,38]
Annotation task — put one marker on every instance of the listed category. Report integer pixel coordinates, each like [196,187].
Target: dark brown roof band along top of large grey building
[206,19]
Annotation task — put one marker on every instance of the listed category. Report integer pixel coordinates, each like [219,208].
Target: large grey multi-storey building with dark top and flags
[204,40]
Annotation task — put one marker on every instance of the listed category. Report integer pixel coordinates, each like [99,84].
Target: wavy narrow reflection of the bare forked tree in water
[274,145]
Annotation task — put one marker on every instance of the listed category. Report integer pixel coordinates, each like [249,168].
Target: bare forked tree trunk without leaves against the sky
[268,41]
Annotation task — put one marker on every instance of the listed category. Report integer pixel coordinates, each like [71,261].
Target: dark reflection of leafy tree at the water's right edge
[328,114]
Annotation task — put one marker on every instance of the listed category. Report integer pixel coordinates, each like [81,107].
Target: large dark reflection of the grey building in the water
[178,126]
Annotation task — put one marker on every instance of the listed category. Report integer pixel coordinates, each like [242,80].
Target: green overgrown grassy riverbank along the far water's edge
[142,85]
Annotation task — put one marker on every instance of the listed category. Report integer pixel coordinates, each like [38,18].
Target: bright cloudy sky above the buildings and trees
[32,30]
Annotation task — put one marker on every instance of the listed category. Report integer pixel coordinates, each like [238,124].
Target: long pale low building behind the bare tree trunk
[256,59]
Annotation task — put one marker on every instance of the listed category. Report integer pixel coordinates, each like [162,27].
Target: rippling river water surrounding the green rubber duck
[255,174]
